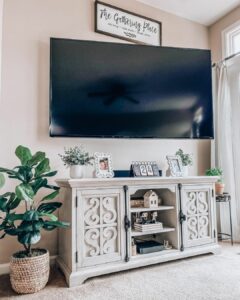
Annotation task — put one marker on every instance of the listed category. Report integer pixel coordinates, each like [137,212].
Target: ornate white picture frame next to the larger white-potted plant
[103,165]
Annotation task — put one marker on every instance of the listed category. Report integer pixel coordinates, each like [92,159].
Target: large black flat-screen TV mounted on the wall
[100,89]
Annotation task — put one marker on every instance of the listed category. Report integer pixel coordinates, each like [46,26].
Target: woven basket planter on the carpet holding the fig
[29,275]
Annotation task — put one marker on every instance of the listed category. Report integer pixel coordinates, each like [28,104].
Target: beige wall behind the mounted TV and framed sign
[28,24]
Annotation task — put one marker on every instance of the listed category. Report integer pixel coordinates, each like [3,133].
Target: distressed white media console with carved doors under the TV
[99,240]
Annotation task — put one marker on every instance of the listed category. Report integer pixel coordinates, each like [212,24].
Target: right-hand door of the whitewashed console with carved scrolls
[198,208]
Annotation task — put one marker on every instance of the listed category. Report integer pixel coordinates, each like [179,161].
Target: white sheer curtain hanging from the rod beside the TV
[227,137]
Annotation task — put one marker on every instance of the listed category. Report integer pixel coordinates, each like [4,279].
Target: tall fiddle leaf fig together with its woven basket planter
[29,268]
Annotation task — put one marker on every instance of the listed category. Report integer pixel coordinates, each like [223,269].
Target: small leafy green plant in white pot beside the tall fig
[77,159]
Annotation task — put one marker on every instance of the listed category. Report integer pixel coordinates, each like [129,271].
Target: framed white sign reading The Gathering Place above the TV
[116,22]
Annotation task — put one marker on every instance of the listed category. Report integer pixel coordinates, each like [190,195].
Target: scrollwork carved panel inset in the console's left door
[101,227]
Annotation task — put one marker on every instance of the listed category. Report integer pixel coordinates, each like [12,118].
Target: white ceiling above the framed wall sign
[205,12]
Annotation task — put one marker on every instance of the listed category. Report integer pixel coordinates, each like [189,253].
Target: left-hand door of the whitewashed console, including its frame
[100,226]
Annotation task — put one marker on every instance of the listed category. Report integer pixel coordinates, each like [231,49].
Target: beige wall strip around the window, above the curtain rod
[215,32]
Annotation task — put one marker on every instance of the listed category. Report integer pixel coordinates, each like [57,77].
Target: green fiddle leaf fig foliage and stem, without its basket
[32,175]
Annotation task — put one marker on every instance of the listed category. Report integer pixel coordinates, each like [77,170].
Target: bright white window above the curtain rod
[231,40]
